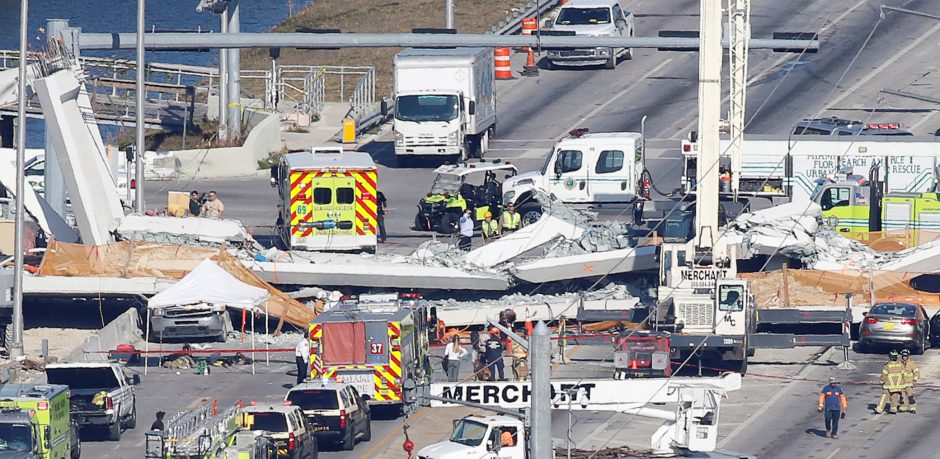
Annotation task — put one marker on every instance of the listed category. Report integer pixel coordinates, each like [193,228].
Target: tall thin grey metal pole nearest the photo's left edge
[16,347]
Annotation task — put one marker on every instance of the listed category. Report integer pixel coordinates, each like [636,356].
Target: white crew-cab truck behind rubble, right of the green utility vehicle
[583,168]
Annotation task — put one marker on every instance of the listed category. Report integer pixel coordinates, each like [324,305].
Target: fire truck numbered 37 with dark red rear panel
[377,343]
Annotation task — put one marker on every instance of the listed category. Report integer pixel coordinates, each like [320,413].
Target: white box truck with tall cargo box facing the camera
[445,102]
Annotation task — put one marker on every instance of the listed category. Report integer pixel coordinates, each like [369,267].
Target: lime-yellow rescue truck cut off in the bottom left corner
[35,422]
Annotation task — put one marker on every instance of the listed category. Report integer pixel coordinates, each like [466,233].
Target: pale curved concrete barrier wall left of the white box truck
[212,163]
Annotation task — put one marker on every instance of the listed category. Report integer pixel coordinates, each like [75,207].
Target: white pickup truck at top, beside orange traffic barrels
[590,18]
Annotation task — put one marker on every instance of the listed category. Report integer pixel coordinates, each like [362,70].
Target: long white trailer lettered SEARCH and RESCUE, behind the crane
[787,169]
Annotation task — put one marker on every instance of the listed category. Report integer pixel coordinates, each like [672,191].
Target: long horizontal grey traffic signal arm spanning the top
[374,40]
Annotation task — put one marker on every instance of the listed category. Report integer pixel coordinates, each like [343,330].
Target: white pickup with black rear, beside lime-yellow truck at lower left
[101,394]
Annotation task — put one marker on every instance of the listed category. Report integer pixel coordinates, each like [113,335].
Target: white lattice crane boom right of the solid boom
[739,34]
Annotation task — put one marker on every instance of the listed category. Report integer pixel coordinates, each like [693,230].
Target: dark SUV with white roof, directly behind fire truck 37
[336,411]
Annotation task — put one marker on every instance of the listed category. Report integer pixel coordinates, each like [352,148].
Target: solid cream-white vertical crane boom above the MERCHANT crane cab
[709,113]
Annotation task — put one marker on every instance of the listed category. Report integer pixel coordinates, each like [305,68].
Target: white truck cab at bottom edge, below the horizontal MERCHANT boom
[481,437]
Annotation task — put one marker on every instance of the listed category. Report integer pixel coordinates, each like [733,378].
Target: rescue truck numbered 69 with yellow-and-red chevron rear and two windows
[328,200]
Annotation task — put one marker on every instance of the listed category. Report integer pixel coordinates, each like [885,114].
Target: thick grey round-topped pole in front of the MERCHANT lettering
[540,355]
